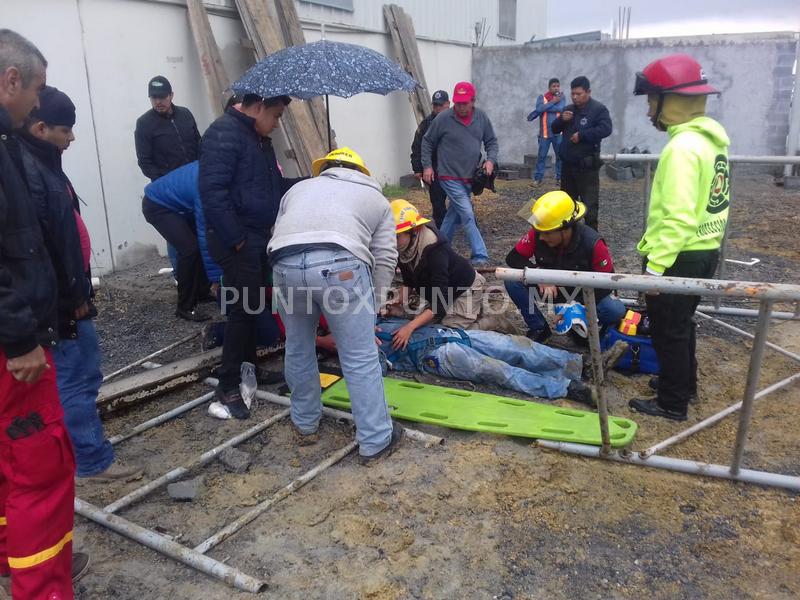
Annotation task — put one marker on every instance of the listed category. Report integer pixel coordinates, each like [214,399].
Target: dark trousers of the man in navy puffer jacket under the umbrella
[243,299]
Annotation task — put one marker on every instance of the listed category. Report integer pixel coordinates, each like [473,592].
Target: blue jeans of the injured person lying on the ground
[508,361]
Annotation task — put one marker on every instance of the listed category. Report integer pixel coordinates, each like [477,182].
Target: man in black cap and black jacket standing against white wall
[166,136]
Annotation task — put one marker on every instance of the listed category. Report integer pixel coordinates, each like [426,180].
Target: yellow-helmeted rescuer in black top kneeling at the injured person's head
[450,290]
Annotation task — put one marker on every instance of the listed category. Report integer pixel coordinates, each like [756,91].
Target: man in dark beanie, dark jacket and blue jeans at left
[47,133]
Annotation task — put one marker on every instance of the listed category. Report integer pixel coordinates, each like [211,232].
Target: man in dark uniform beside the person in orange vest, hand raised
[584,124]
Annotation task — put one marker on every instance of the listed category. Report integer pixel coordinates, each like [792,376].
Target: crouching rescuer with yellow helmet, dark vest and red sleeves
[558,239]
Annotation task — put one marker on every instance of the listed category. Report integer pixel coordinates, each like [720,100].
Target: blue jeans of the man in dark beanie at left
[78,377]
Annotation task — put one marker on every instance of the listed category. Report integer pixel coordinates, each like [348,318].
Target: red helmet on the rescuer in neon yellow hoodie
[673,74]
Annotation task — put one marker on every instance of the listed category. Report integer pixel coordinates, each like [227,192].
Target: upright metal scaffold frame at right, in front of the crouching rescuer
[765,293]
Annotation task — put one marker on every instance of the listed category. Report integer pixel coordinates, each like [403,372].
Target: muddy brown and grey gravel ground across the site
[483,516]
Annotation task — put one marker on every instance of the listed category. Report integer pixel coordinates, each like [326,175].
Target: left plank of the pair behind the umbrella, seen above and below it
[299,127]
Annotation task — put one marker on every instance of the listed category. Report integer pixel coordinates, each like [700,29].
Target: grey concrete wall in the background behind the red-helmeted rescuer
[753,72]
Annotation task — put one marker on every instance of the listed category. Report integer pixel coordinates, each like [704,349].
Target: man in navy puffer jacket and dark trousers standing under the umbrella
[240,190]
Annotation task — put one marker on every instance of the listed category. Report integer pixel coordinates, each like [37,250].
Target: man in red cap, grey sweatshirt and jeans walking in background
[456,135]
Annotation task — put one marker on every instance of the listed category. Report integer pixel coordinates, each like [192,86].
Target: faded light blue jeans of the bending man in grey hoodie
[337,284]
